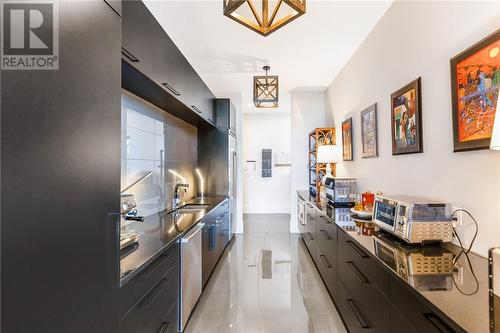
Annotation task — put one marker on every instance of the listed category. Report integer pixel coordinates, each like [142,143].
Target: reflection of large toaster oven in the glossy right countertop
[424,268]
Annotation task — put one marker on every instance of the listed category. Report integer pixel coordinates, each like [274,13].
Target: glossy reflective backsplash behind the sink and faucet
[154,142]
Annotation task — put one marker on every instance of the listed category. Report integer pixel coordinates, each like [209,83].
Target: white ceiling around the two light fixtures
[307,53]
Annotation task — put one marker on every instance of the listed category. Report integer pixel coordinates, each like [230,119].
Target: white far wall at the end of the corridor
[266,131]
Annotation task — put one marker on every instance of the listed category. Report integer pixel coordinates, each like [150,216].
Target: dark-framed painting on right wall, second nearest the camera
[406,119]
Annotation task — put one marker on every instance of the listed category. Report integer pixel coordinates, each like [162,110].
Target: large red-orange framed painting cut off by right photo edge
[475,80]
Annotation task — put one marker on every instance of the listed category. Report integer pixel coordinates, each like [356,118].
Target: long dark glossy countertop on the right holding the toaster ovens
[464,300]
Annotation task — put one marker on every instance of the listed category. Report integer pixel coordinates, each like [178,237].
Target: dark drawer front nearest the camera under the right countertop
[417,314]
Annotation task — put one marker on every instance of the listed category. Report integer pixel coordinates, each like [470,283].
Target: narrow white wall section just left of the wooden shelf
[308,112]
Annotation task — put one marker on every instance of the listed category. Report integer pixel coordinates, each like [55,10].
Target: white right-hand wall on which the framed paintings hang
[417,39]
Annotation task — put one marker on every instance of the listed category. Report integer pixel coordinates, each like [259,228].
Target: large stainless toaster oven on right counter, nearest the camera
[414,220]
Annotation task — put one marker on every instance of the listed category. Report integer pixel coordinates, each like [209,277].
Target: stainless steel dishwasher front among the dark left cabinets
[191,269]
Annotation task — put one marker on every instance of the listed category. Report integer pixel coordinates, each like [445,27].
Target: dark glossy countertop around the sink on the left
[158,232]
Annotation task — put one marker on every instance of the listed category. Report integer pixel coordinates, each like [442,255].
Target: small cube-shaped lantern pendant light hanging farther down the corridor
[265,90]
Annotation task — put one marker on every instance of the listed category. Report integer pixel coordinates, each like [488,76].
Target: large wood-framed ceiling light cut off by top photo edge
[254,14]
